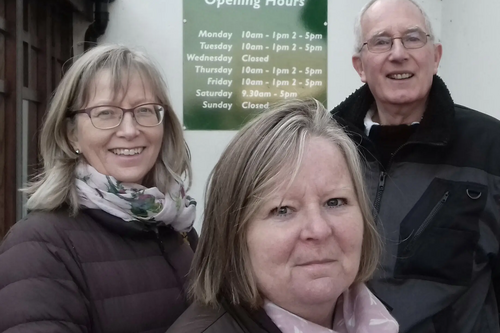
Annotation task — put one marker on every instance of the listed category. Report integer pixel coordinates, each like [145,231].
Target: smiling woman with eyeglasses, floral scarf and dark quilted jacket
[108,241]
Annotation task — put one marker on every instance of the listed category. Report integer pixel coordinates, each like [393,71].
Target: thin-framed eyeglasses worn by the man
[412,40]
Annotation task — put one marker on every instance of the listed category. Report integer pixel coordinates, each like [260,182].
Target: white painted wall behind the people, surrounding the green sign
[467,29]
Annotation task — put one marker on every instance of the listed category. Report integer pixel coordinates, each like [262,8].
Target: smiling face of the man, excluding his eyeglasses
[399,76]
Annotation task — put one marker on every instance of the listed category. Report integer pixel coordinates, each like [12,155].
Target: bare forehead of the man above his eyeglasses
[392,17]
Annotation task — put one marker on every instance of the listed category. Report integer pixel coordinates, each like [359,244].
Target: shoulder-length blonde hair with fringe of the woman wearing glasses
[55,185]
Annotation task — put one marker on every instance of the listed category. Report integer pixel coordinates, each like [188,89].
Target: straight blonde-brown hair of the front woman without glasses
[266,152]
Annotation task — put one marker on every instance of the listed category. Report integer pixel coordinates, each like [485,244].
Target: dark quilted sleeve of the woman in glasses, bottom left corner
[38,281]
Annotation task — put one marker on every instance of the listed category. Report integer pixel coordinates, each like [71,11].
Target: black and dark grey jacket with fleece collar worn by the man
[437,206]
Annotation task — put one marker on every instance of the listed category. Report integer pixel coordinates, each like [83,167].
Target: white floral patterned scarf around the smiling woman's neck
[133,202]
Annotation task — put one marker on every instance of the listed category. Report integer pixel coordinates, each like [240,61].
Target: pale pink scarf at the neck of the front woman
[357,310]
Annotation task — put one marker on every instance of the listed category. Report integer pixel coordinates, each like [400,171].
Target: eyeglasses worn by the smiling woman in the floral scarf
[109,116]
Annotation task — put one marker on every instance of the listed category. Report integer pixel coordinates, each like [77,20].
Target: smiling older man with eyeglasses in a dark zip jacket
[433,175]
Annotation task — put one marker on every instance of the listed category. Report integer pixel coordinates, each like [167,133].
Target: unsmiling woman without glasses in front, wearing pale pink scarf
[287,240]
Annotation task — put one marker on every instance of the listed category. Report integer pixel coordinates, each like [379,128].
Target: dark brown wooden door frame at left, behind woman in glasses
[33,60]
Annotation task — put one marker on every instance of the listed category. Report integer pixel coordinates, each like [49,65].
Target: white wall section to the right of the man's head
[470,63]
